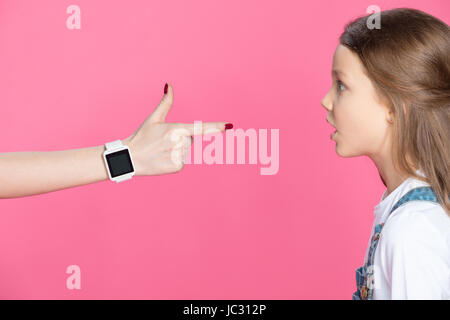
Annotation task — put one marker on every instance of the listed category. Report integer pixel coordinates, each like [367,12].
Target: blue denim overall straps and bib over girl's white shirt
[364,274]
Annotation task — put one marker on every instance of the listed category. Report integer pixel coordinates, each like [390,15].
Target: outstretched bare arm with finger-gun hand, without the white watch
[157,147]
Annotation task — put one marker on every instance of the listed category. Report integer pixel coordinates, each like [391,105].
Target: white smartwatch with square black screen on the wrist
[118,161]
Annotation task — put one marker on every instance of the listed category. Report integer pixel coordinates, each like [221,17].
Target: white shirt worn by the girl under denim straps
[412,259]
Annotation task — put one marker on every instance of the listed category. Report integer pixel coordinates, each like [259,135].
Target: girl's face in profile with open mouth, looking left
[360,119]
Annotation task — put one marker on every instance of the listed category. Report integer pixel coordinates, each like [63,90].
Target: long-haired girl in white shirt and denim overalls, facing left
[390,101]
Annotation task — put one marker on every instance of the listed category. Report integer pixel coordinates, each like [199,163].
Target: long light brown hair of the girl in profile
[408,61]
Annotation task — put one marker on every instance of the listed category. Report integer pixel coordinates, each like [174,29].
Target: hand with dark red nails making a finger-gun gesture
[159,147]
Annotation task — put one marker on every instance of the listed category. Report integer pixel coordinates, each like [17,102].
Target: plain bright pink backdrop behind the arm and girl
[210,231]
